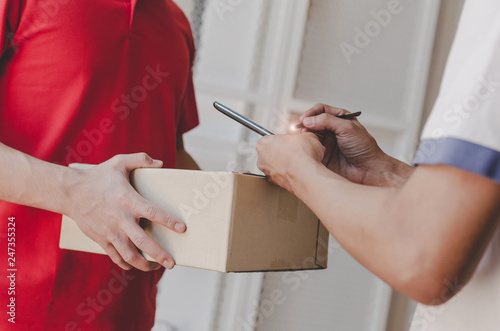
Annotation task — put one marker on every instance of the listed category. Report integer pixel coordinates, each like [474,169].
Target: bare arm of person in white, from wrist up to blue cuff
[403,234]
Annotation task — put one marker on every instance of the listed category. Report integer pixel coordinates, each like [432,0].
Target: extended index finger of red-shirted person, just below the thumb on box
[154,213]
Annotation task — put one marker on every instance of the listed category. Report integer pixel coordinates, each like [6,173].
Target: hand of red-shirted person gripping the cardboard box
[108,210]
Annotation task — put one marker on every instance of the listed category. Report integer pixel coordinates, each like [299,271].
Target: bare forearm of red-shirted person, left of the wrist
[32,182]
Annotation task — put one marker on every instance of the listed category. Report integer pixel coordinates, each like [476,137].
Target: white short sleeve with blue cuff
[464,127]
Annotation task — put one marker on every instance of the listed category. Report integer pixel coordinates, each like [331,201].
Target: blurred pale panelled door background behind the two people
[271,60]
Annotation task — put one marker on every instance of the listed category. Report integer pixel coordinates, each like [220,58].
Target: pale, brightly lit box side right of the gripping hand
[203,201]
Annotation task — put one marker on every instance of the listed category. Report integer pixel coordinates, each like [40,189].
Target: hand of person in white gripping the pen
[350,150]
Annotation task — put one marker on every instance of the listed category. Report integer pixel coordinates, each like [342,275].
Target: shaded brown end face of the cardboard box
[271,230]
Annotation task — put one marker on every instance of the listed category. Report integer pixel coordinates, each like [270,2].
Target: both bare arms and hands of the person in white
[418,229]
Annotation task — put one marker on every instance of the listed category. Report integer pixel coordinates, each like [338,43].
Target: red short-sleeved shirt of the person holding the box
[82,81]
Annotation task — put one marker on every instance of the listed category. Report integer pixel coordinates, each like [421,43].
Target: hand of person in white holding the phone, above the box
[281,156]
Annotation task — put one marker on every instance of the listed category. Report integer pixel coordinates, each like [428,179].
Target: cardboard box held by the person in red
[235,222]
